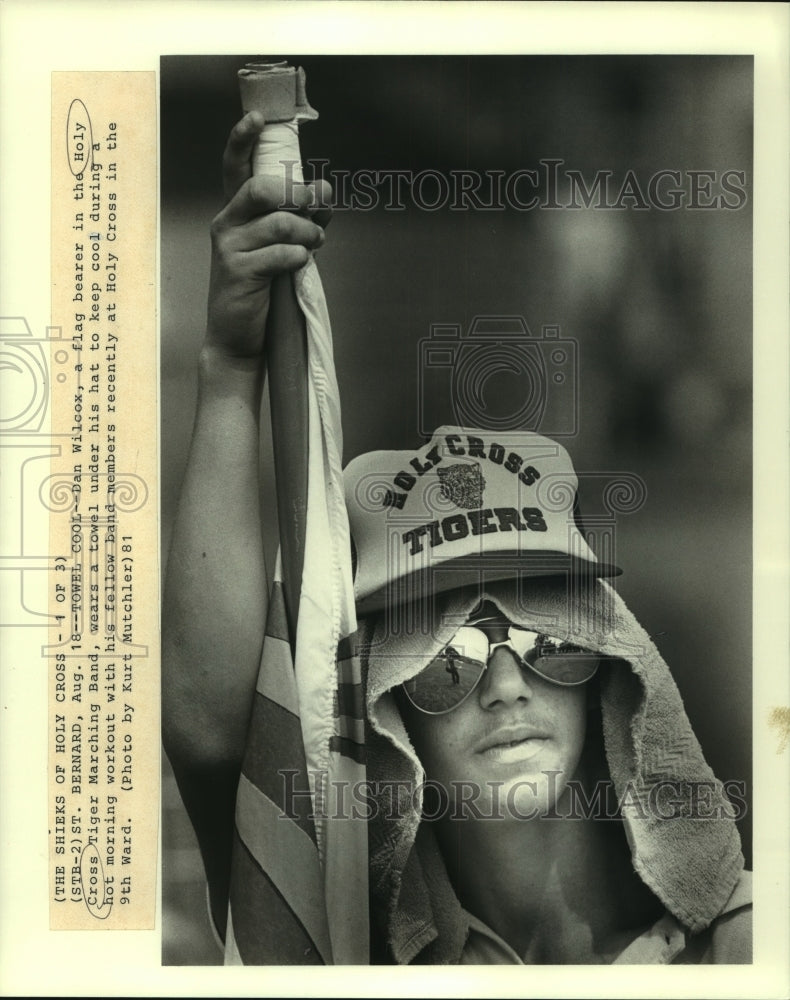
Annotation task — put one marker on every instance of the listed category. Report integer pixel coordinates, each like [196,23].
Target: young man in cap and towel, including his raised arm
[510,693]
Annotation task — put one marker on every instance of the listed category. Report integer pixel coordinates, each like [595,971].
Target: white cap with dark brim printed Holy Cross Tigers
[467,507]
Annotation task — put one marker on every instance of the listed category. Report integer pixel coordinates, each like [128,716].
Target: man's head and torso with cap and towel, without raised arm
[565,813]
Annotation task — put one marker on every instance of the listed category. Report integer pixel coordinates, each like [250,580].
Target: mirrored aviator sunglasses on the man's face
[455,672]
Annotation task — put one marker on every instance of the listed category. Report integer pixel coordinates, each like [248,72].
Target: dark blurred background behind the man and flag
[655,306]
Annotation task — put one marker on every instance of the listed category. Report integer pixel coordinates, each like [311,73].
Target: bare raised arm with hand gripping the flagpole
[215,597]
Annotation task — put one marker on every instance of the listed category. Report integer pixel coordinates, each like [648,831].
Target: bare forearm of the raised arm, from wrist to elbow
[215,590]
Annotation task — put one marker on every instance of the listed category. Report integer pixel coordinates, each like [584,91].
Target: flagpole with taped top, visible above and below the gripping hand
[277,91]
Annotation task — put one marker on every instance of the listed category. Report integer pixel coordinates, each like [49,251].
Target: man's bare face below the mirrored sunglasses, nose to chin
[515,742]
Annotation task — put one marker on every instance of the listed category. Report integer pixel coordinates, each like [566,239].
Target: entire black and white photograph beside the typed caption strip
[497,711]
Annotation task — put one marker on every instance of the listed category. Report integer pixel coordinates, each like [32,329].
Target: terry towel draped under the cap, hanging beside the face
[691,862]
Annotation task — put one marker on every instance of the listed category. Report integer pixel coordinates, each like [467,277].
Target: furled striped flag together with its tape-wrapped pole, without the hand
[319,911]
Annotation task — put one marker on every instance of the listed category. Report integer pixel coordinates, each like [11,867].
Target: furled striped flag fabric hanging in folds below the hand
[299,884]
